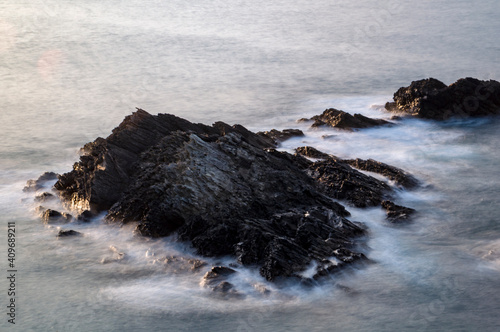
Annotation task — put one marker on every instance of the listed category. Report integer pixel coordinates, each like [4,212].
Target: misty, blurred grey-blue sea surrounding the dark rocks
[70,71]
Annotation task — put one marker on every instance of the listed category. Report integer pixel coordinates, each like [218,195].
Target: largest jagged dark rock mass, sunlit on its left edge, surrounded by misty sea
[224,189]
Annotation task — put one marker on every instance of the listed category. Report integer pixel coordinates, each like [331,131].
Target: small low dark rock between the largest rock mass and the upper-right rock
[343,120]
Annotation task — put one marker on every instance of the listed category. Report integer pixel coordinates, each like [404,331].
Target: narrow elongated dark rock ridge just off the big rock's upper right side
[399,176]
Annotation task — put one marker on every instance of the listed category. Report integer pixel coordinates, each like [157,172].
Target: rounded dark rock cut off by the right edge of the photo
[432,99]
